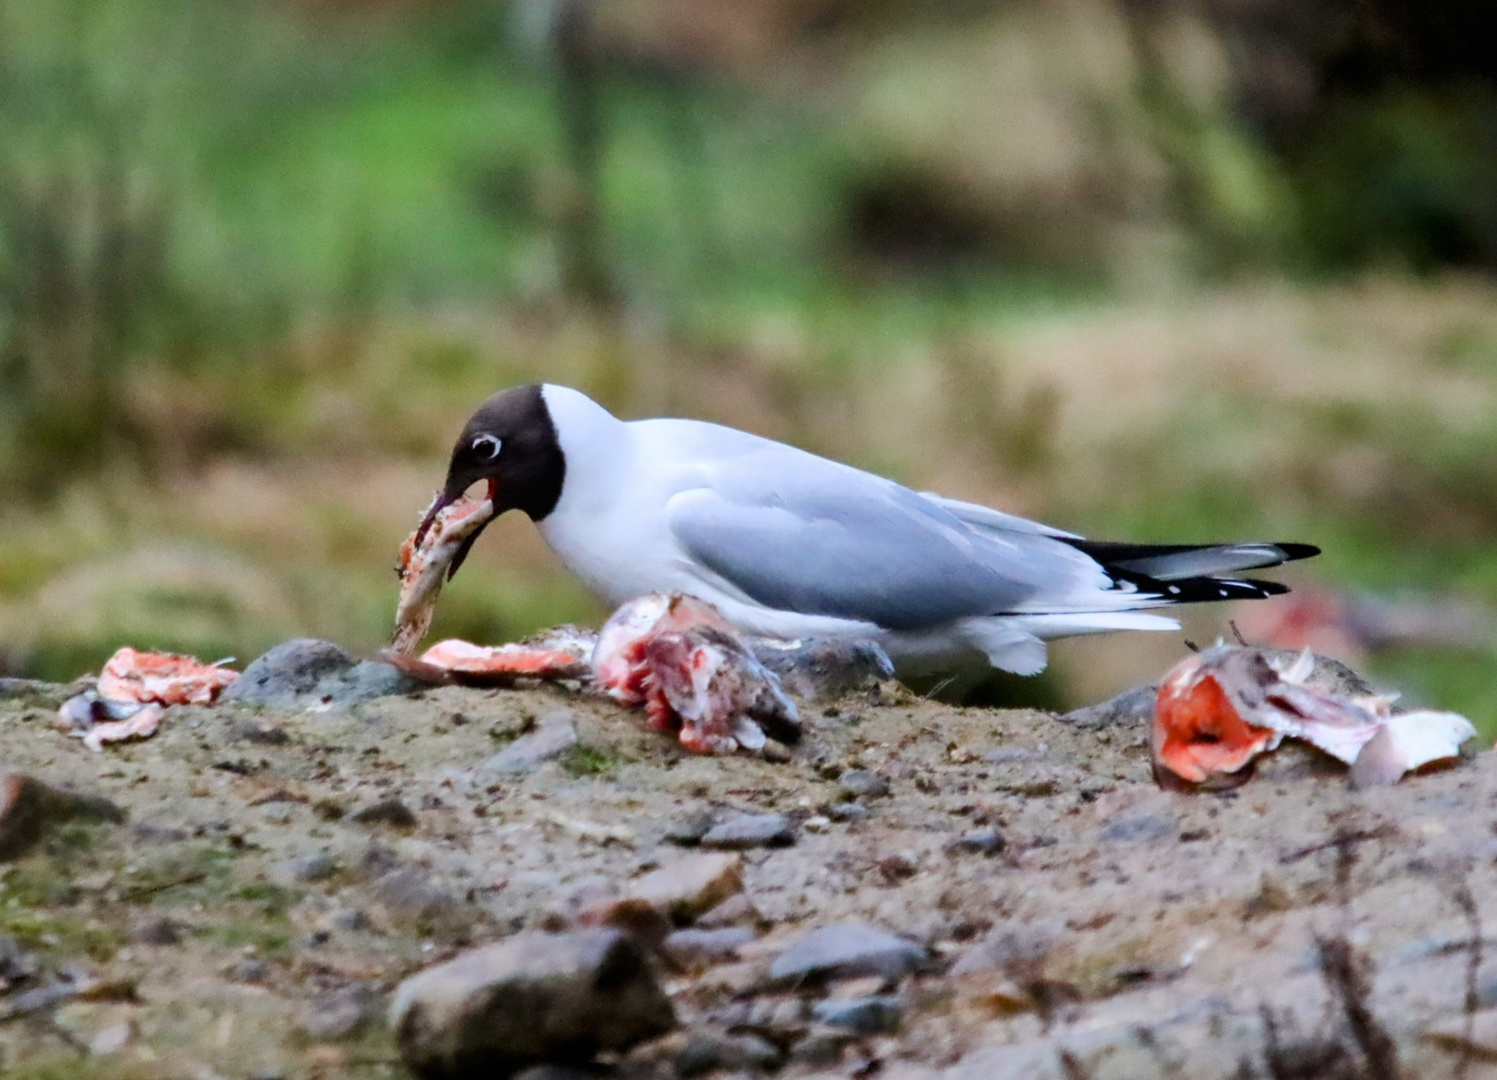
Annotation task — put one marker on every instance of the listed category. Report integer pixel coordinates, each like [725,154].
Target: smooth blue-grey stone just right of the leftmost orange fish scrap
[306,672]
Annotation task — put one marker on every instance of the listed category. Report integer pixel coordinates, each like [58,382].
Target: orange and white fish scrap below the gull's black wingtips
[1218,712]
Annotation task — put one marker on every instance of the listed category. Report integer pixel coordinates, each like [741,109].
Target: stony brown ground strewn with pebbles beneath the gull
[915,891]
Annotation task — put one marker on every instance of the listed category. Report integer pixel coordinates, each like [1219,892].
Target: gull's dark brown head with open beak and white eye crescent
[511,446]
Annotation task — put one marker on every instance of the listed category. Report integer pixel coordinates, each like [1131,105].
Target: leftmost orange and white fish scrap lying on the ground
[134,691]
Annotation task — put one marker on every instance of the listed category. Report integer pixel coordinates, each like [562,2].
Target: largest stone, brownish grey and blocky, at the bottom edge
[529,1000]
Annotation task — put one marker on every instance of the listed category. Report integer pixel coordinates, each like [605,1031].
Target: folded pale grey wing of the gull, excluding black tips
[802,534]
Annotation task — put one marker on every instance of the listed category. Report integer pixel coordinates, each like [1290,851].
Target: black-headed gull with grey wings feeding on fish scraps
[788,544]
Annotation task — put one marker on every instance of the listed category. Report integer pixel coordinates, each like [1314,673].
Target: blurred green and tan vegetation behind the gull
[1146,269]
